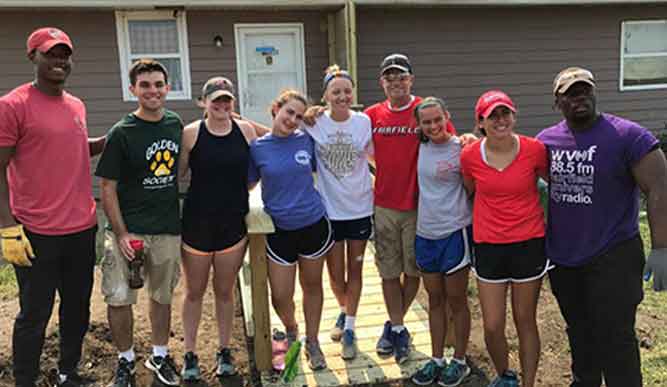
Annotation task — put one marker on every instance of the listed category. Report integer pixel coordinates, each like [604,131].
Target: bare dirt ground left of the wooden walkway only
[100,357]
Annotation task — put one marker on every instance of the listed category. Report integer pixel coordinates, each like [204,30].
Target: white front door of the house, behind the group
[270,58]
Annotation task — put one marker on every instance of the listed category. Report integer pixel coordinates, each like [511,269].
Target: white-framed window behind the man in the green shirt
[161,35]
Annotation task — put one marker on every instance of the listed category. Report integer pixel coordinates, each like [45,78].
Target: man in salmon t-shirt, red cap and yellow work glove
[47,211]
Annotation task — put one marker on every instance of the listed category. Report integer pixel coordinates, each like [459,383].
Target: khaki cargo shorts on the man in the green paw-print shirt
[161,270]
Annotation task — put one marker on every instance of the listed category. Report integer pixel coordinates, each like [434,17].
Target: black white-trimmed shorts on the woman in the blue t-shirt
[285,246]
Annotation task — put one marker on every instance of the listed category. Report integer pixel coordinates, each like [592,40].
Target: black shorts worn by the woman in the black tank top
[209,234]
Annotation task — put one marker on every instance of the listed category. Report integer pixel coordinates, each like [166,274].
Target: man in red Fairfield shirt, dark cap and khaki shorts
[396,146]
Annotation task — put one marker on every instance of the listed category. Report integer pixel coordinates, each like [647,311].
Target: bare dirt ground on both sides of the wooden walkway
[100,357]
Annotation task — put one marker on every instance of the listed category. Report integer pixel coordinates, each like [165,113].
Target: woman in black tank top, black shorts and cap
[215,150]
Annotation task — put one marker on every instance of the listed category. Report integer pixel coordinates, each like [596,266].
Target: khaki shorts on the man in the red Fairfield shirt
[395,242]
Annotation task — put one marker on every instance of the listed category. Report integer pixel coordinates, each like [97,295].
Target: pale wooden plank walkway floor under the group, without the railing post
[368,367]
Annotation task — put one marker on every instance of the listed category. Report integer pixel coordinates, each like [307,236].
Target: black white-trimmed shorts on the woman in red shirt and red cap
[511,262]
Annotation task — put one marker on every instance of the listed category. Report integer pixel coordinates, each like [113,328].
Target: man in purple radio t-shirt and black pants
[598,164]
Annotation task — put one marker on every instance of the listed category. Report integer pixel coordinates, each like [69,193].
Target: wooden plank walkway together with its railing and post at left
[368,367]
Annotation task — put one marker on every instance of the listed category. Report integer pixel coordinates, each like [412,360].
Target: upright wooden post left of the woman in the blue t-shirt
[260,302]
